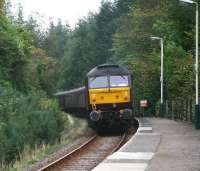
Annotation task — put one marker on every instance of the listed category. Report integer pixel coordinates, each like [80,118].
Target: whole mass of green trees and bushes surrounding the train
[34,64]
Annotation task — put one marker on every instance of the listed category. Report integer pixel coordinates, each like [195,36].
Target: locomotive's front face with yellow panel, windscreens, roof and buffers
[110,94]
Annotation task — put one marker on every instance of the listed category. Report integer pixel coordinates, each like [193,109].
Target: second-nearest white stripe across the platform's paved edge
[133,156]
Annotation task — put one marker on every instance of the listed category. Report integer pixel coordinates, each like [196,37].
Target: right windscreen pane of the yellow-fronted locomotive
[119,81]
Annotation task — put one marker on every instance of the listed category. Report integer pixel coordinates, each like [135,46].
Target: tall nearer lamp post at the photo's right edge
[197,112]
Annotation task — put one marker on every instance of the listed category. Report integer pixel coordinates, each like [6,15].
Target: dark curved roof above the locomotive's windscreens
[105,69]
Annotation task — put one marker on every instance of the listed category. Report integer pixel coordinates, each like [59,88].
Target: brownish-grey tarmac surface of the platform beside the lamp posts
[179,149]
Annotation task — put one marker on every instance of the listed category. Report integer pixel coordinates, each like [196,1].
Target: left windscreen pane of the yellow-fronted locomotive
[98,82]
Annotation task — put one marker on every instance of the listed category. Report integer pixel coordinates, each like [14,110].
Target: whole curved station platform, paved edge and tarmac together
[159,145]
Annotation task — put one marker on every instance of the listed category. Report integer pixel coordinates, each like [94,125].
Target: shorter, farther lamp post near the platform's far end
[161,73]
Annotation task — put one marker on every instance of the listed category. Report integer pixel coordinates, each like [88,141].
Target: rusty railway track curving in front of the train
[87,156]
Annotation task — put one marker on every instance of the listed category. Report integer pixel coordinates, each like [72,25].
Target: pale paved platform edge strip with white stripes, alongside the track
[135,154]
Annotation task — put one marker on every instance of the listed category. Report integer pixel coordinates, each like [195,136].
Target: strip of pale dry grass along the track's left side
[75,128]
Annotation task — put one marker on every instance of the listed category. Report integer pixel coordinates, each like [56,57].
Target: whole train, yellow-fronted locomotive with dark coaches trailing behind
[106,99]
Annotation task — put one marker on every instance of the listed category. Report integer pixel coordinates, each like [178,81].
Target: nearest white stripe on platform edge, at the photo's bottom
[121,167]
